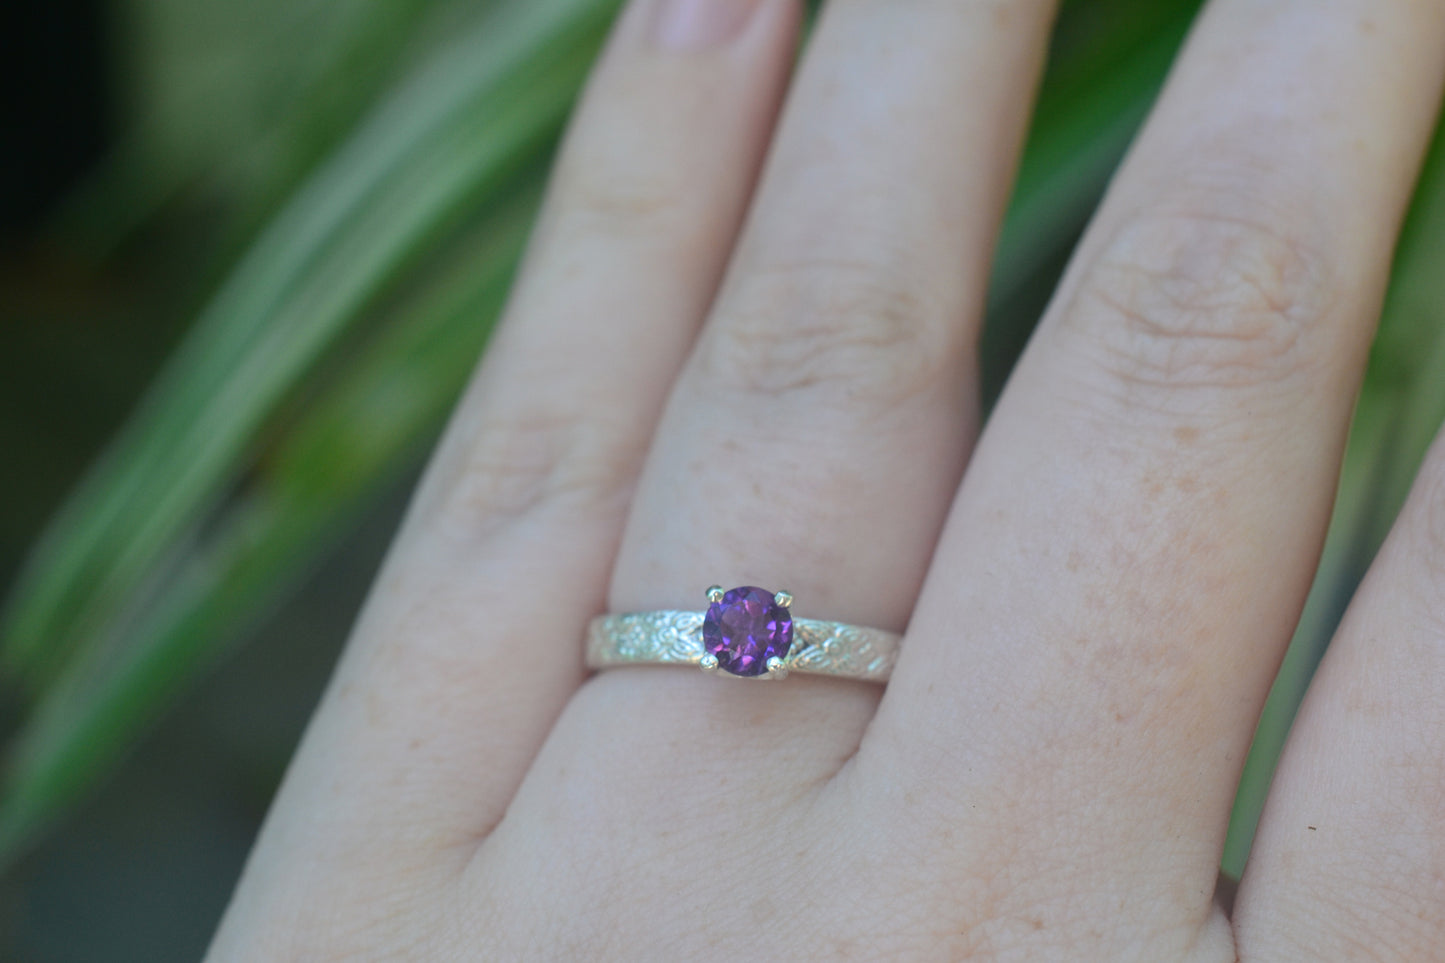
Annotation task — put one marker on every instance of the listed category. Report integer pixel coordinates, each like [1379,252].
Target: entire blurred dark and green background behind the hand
[249,254]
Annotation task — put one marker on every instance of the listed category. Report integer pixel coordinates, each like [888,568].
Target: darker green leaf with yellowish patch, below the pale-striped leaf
[356,440]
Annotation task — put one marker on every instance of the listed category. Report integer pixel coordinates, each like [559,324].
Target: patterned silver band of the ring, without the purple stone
[676,638]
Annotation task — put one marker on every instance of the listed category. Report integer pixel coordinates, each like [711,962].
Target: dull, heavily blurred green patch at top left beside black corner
[236,99]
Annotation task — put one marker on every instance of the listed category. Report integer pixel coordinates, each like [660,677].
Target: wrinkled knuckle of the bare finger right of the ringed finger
[1212,288]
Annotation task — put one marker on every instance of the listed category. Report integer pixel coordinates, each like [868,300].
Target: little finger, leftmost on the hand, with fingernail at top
[467,649]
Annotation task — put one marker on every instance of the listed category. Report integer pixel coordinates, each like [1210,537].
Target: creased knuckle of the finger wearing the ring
[847,330]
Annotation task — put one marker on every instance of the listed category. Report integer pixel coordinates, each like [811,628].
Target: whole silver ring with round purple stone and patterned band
[746,633]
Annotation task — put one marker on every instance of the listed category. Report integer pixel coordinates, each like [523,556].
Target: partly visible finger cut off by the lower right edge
[1352,848]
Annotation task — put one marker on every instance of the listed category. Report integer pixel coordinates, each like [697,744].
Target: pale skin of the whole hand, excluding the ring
[742,352]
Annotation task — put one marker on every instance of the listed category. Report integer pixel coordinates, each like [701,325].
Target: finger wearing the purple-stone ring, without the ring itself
[817,435]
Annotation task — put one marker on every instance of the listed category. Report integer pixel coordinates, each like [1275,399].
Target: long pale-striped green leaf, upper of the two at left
[479,112]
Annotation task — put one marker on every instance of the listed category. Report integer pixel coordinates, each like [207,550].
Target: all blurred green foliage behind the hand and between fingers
[358,181]
